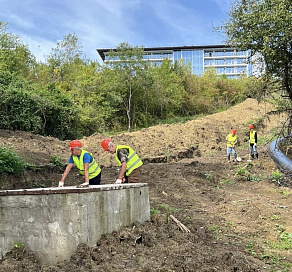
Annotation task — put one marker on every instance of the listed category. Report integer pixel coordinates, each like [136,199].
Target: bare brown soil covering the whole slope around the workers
[233,215]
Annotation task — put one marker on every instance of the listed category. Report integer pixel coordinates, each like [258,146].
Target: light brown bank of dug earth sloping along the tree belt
[154,144]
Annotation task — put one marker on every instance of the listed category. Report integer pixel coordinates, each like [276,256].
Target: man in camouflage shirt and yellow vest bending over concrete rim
[127,159]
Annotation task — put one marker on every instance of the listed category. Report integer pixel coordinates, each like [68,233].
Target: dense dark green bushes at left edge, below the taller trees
[22,109]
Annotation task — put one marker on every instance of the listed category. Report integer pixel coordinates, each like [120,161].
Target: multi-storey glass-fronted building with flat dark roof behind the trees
[226,60]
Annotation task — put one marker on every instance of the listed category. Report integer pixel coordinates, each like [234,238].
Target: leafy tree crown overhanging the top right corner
[264,27]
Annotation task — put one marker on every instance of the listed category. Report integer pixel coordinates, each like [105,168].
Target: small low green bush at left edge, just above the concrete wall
[11,162]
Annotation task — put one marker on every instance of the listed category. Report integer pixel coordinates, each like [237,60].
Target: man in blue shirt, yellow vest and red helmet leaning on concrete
[85,162]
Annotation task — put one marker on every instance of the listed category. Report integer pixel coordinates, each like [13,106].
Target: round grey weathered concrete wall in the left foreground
[53,221]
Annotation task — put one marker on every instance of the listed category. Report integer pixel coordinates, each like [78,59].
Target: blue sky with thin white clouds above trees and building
[100,24]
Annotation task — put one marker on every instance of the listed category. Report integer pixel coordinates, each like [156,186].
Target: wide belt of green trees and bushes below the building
[70,96]
